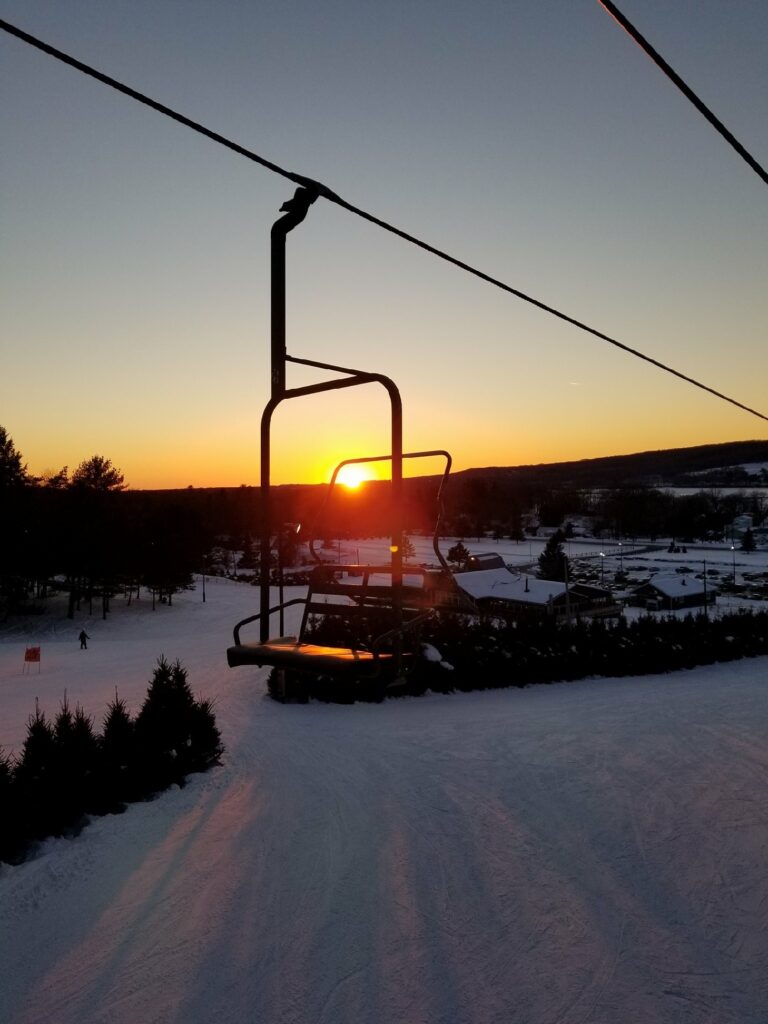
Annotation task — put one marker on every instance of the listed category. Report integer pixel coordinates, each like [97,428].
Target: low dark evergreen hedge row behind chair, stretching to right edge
[488,653]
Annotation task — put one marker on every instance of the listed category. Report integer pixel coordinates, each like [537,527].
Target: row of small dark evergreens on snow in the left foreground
[67,771]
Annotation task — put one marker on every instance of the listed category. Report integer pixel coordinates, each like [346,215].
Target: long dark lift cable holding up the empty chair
[321,190]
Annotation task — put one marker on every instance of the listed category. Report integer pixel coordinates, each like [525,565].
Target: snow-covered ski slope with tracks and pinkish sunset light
[591,852]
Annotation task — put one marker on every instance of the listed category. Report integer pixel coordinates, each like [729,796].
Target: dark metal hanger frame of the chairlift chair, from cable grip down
[295,211]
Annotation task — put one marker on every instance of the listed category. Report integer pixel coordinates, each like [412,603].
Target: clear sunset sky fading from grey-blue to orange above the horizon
[532,140]
